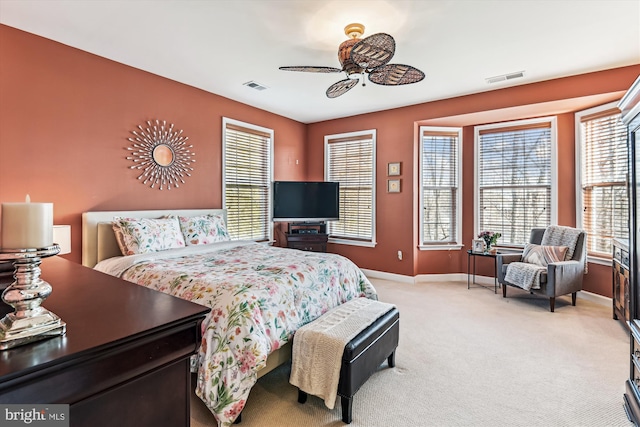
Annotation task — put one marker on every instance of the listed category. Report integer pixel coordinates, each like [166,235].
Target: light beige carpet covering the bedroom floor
[472,358]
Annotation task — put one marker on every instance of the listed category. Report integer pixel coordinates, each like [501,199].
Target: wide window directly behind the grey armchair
[515,177]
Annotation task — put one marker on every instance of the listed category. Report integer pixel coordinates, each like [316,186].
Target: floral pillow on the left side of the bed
[144,235]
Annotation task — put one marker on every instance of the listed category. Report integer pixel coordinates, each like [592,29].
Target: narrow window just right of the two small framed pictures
[440,180]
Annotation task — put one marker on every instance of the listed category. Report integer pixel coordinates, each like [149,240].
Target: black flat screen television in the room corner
[306,201]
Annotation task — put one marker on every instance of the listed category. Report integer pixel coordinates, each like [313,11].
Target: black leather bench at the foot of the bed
[363,355]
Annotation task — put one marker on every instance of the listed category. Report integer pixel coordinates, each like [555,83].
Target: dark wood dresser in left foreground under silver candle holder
[124,360]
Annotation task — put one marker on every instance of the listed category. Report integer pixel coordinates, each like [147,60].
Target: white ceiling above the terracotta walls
[217,45]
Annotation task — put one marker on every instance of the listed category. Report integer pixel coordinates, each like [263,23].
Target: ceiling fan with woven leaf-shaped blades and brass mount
[365,56]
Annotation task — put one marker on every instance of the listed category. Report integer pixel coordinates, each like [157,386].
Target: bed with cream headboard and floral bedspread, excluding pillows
[259,296]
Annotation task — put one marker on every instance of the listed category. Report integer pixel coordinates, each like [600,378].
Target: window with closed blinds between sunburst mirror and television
[247,176]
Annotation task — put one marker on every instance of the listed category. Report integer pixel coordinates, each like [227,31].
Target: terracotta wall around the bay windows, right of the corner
[396,219]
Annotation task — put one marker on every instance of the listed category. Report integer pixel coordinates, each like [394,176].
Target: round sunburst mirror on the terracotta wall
[161,153]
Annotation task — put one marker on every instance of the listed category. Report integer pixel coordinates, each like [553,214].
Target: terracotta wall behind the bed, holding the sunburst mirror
[65,116]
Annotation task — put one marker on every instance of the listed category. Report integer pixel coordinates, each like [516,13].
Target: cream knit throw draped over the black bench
[318,346]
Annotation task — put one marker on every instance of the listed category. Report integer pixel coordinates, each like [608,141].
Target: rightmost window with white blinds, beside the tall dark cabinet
[603,205]
